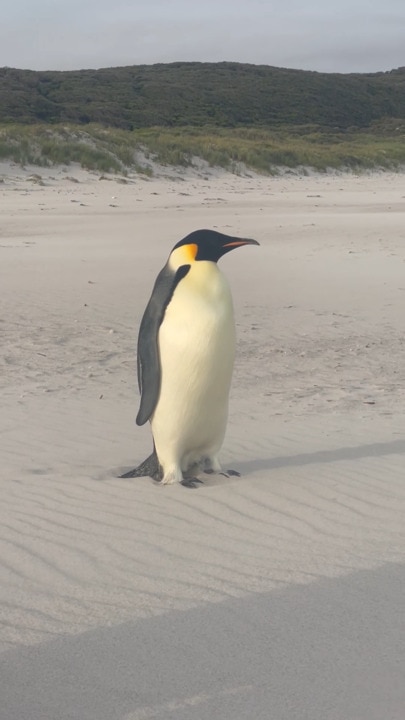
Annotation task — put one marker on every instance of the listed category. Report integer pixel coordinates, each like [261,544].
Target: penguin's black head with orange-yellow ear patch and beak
[205,245]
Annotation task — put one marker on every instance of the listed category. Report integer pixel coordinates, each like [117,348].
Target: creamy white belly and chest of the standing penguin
[197,349]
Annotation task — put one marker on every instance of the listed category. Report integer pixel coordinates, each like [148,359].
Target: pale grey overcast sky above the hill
[322,35]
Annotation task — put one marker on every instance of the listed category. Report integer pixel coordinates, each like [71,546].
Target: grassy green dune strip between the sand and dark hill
[263,150]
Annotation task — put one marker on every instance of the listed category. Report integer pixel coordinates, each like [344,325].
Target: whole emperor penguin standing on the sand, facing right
[185,357]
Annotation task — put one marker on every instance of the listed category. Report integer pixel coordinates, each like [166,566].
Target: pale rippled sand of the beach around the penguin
[277,595]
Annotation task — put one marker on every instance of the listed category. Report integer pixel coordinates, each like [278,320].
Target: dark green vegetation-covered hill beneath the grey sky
[198,94]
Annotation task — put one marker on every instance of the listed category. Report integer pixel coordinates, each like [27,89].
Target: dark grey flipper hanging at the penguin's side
[148,360]
